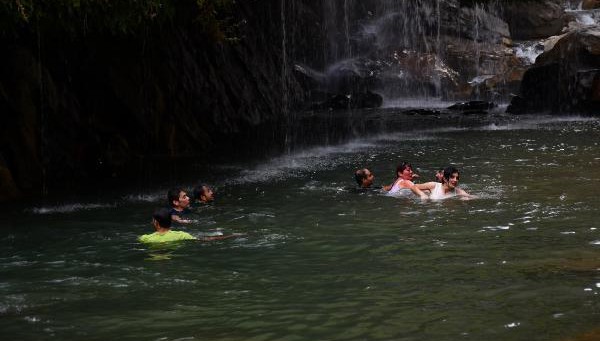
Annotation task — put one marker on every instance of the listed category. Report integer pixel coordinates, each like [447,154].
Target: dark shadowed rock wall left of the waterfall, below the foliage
[89,106]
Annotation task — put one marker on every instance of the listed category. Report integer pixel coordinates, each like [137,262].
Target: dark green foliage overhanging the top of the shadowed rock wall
[80,17]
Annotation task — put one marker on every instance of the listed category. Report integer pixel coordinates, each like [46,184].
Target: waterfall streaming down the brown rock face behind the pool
[414,49]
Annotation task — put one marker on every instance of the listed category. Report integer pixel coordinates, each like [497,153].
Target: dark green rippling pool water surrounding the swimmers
[321,261]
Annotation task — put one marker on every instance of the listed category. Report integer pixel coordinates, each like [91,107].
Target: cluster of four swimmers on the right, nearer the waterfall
[445,186]
